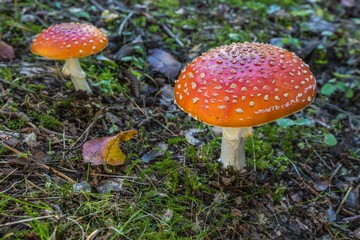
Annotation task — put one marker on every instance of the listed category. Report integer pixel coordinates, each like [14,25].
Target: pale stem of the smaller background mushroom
[73,69]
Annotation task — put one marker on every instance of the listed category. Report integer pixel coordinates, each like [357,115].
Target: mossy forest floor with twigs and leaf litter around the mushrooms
[303,174]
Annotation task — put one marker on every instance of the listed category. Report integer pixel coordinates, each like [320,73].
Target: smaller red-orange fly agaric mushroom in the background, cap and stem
[69,42]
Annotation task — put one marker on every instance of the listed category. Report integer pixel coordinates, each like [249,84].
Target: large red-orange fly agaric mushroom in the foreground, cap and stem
[240,86]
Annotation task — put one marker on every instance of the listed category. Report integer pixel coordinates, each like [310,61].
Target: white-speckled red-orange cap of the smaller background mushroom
[69,40]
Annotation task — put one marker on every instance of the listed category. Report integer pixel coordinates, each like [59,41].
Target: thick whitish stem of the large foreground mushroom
[233,147]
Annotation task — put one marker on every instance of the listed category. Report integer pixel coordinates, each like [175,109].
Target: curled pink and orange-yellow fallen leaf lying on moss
[106,150]
